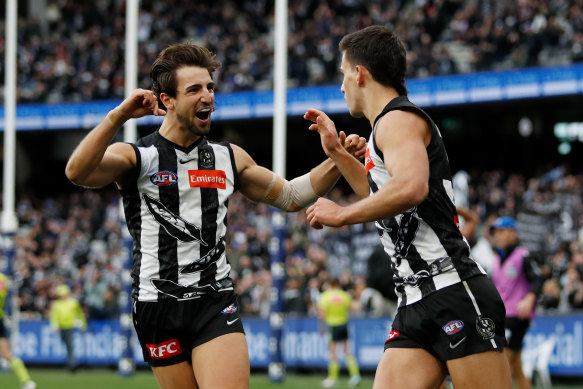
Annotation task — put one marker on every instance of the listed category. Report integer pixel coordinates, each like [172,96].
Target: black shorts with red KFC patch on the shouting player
[168,330]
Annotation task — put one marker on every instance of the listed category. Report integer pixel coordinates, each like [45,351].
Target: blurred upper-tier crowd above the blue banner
[74,50]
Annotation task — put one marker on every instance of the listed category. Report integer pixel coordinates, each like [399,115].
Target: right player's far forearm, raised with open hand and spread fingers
[348,163]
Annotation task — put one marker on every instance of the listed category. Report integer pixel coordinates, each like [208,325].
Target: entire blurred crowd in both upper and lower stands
[74,51]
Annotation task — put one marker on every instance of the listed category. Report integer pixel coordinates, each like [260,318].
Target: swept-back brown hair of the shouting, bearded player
[172,58]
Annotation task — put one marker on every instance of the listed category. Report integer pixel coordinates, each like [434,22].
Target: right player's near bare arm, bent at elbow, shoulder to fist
[402,137]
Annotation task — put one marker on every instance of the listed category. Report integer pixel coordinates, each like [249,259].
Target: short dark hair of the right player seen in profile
[380,51]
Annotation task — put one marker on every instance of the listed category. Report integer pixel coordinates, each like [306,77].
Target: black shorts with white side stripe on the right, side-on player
[456,321]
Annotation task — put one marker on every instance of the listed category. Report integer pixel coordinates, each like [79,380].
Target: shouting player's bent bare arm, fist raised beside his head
[96,162]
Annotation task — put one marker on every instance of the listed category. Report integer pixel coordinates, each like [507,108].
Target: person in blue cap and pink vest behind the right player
[517,277]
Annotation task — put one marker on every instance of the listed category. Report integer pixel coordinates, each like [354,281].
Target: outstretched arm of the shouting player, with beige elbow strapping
[262,185]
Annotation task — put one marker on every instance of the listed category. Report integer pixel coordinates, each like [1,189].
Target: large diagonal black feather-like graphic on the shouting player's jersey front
[173,224]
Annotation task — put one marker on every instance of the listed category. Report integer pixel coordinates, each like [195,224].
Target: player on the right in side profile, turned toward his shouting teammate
[450,316]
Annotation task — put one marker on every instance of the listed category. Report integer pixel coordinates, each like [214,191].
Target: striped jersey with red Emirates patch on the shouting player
[176,214]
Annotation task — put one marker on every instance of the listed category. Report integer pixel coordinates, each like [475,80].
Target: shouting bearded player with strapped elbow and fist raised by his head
[175,185]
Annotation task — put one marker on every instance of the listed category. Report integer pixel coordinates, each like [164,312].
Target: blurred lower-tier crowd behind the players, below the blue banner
[76,239]
